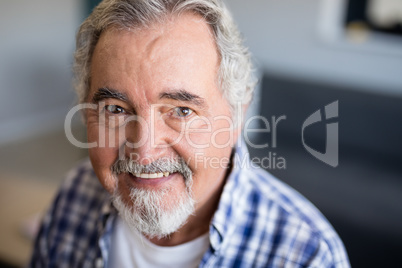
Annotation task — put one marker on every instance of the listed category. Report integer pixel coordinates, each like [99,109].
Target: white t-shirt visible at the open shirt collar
[131,249]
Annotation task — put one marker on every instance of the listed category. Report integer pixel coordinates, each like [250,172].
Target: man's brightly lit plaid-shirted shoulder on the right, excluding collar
[285,225]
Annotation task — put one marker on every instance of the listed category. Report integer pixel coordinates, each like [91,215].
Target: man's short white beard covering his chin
[149,213]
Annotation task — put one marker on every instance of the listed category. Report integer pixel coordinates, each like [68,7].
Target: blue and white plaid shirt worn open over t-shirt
[260,222]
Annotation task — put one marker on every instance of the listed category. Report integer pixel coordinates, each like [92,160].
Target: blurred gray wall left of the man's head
[37,42]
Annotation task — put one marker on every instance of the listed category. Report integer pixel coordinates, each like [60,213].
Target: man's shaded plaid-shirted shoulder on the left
[69,228]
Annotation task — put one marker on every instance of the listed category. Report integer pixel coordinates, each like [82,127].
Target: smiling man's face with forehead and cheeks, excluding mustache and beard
[162,81]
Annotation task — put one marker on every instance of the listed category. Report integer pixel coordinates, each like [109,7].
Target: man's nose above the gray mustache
[146,139]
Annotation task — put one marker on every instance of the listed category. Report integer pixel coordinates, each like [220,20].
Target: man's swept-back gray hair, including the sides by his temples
[235,72]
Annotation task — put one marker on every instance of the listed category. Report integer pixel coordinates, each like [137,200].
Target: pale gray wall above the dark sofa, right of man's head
[283,36]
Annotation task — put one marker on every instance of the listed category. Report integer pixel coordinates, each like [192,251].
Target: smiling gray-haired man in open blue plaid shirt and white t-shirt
[166,83]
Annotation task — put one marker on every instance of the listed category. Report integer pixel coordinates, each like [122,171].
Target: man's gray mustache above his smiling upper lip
[158,166]
